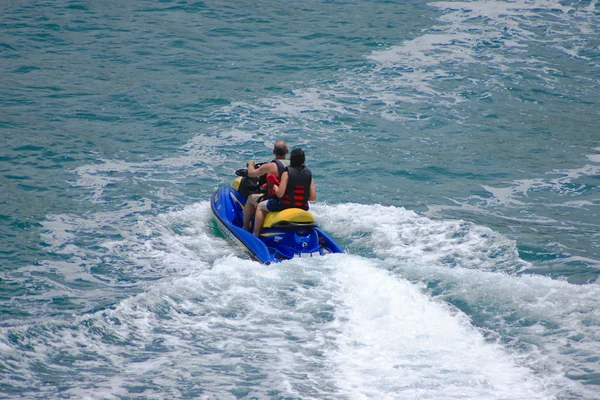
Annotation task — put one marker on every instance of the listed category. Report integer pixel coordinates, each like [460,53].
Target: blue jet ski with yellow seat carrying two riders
[286,234]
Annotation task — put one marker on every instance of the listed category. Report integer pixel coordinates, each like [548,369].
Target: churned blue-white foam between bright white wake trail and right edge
[551,321]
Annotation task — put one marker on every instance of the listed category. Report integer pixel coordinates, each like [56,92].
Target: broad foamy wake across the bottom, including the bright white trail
[387,339]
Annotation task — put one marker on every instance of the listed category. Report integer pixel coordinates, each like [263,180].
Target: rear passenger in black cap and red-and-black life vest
[297,188]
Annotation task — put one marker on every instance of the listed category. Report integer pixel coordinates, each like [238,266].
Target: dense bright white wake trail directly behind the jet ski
[394,342]
